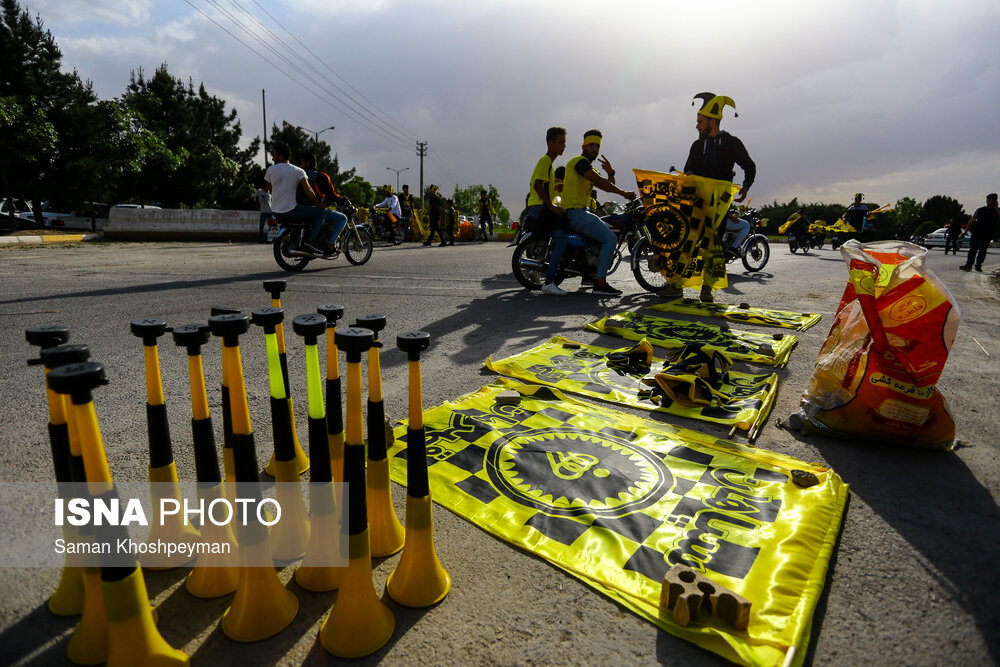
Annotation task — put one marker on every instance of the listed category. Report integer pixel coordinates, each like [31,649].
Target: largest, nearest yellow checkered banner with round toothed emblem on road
[617,500]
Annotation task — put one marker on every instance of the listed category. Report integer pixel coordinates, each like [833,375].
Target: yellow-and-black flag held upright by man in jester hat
[683,217]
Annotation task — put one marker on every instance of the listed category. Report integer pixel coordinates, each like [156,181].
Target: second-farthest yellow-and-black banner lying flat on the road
[769,349]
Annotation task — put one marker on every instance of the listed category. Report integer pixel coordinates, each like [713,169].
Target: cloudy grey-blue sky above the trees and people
[891,98]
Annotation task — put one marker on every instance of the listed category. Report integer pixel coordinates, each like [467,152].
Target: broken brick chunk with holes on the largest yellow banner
[687,592]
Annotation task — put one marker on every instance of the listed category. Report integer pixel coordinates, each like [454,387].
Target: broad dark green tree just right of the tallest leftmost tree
[212,170]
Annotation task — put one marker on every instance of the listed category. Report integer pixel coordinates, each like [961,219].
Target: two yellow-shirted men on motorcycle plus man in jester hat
[713,155]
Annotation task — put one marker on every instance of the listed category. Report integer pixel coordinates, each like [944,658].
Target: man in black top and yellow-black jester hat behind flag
[713,155]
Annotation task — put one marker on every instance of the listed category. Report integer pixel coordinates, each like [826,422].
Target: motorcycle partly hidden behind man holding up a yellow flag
[754,251]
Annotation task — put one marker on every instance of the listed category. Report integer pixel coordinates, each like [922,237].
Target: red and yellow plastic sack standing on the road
[875,376]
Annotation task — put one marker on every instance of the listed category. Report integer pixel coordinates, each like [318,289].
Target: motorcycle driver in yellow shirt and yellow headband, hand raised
[580,178]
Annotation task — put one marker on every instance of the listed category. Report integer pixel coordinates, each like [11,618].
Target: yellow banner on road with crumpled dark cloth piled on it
[583,369]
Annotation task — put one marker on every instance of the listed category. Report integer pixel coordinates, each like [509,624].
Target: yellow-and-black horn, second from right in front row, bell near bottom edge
[359,623]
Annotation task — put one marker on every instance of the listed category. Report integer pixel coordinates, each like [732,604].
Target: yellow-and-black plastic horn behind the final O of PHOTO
[262,606]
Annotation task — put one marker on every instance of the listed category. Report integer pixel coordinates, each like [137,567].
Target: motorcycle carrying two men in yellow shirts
[530,259]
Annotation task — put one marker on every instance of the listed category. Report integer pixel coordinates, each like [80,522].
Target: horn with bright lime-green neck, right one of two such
[315,572]
